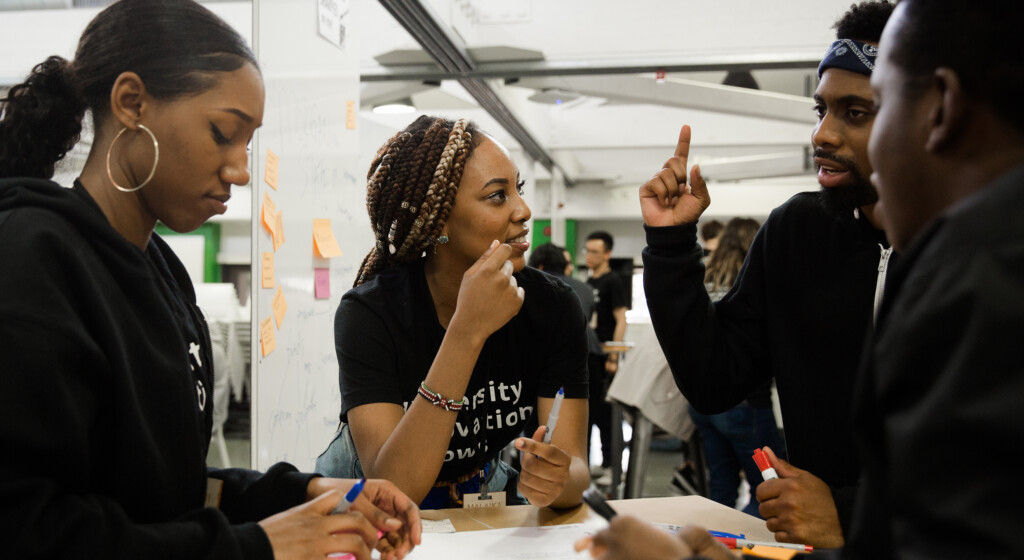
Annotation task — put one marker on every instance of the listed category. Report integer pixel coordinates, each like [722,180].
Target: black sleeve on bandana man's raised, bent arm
[717,353]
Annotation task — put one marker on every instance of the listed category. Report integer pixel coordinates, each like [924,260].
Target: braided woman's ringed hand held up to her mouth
[489,296]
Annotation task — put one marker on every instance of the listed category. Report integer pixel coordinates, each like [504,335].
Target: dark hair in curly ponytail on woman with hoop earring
[177,48]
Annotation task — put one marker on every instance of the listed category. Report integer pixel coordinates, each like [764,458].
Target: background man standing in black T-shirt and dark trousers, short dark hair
[611,326]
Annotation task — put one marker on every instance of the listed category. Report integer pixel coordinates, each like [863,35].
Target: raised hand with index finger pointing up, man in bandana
[667,199]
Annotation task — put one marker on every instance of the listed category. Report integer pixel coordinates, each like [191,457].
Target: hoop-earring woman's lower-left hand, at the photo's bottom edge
[311,532]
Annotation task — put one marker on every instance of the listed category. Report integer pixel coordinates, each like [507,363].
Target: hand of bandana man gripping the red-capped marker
[798,507]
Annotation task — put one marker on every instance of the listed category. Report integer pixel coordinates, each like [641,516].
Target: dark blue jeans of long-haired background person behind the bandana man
[730,440]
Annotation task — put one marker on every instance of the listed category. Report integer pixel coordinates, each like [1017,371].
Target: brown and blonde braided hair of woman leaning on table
[411,189]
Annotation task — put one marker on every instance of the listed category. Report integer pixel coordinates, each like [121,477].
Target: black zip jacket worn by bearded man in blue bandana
[798,313]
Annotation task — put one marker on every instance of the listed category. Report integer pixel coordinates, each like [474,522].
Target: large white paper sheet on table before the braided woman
[552,543]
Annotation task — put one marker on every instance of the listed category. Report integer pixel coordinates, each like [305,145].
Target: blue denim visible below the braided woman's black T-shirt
[340,460]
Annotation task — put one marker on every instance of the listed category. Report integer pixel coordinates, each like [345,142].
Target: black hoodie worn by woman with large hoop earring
[107,397]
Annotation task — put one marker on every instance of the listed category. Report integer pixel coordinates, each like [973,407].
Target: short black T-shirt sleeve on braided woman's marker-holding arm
[566,362]
